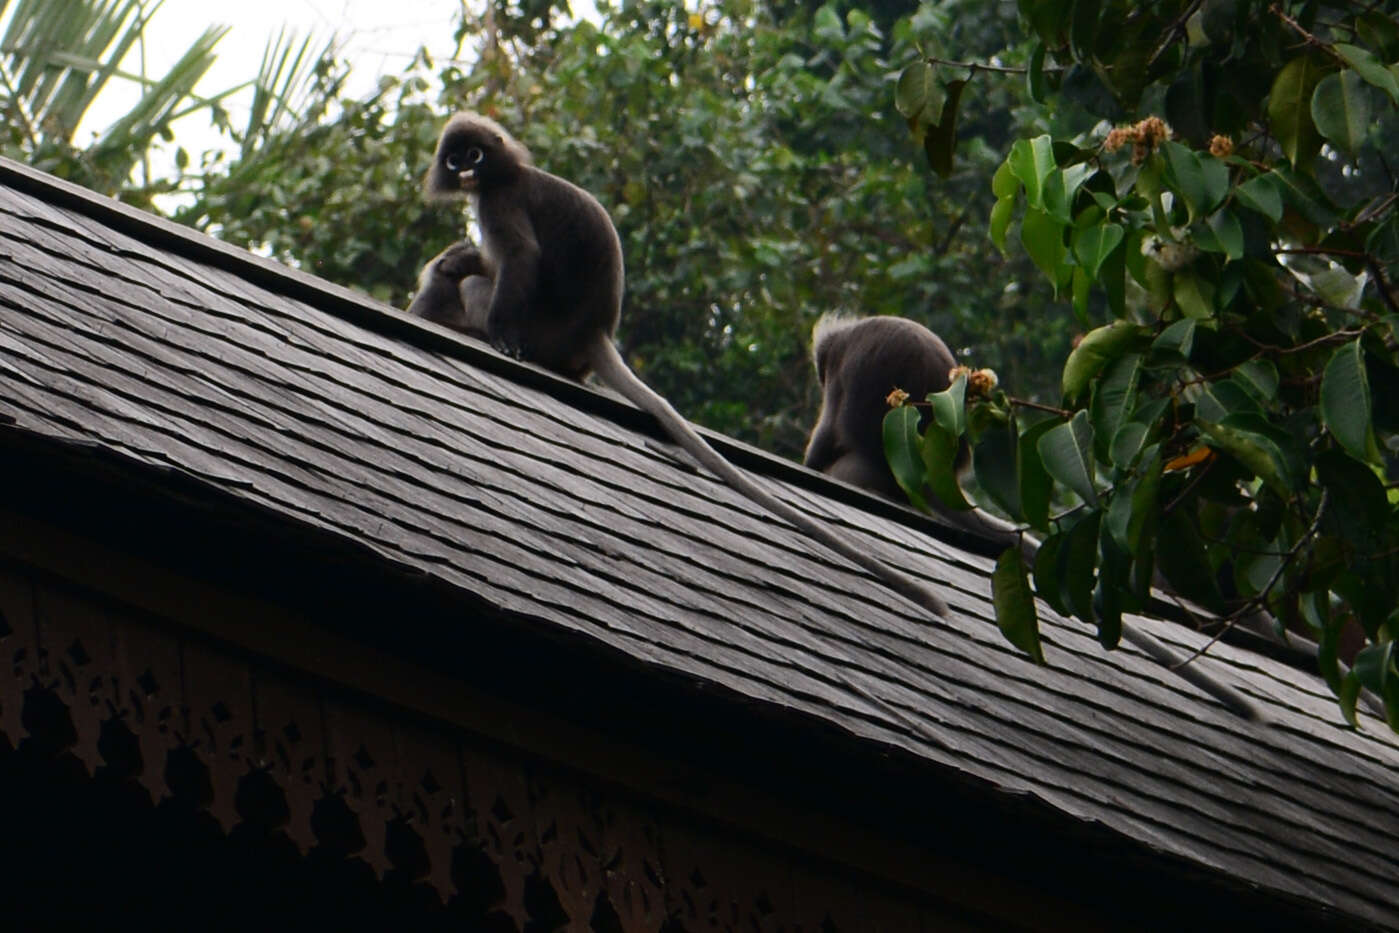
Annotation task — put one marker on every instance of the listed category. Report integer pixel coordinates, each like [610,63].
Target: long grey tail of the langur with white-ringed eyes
[615,373]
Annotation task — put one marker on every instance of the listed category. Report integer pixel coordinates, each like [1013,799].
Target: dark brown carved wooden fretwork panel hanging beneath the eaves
[507,843]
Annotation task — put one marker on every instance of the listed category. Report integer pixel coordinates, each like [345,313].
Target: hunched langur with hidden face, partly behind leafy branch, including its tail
[860,362]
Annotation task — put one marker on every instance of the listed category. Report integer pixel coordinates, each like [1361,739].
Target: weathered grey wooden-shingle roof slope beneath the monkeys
[176,352]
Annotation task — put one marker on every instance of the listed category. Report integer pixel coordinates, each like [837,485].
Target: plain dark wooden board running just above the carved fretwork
[289,640]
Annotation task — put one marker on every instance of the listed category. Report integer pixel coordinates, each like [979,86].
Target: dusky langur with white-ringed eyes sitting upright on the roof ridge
[556,266]
